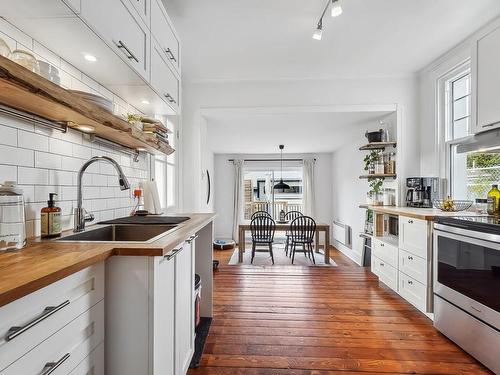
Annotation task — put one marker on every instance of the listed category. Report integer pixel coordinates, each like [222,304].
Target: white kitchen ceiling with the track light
[271,39]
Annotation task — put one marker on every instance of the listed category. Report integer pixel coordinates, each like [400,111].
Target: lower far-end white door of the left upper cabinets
[163,79]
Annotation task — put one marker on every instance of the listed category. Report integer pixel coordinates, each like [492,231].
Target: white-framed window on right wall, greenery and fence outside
[471,174]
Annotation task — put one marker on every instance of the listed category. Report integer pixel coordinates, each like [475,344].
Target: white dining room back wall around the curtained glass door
[224,185]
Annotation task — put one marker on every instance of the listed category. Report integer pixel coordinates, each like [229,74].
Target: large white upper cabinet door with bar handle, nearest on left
[124,33]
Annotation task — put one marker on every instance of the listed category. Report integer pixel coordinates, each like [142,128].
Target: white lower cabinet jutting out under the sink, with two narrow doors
[149,313]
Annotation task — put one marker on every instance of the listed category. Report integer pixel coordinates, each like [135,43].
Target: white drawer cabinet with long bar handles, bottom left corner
[27,324]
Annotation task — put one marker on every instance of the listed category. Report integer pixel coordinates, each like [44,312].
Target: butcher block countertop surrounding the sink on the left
[45,262]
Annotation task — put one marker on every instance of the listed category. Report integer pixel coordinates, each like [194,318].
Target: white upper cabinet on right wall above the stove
[486,81]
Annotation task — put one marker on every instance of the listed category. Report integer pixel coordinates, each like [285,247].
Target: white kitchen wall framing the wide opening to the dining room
[230,95]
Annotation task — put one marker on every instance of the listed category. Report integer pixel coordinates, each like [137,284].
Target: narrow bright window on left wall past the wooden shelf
[166,173]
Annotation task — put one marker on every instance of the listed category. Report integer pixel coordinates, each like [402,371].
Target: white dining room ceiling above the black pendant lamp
[299,132]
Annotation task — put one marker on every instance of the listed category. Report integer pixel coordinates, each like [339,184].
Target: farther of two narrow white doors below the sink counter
[184,314]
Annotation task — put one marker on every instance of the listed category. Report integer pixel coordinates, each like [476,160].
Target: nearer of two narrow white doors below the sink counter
[164,315]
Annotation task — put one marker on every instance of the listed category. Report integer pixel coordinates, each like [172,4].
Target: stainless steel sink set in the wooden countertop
[121,233]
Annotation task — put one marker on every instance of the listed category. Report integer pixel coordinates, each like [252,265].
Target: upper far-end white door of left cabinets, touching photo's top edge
[164,34]
